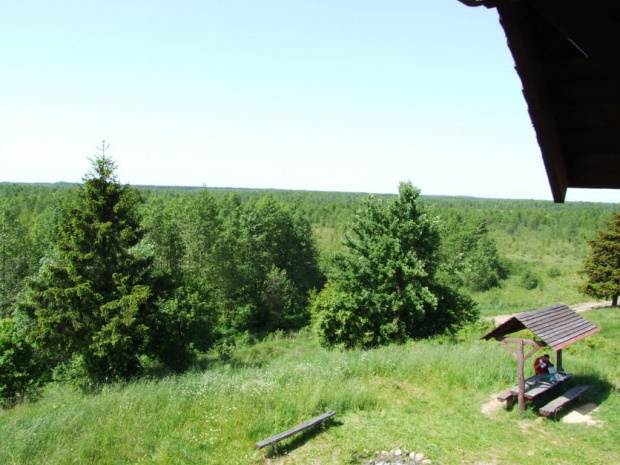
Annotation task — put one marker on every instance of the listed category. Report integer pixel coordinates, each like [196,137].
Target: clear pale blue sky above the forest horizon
[327,95]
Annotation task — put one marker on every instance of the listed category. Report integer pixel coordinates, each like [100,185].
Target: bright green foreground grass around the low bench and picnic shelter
[425,396]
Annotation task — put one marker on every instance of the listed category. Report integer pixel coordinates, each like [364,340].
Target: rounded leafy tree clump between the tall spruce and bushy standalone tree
[266,263]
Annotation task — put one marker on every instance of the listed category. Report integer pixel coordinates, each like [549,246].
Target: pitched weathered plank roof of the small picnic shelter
[558,326]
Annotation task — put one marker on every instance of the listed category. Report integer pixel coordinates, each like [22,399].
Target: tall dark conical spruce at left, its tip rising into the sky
[92,299]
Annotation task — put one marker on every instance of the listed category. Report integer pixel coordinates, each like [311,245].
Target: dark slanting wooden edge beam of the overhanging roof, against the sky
[516,20]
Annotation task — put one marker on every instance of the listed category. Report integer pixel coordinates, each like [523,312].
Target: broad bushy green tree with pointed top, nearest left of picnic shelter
[384,289]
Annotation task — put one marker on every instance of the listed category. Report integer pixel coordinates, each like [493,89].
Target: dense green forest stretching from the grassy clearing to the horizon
[202,268]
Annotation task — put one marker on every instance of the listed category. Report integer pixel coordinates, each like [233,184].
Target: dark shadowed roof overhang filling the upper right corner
[567,54]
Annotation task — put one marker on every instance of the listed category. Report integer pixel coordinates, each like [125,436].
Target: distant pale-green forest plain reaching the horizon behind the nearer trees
[540,244]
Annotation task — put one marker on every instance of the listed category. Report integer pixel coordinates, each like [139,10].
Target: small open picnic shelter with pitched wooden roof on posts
[556,326]
